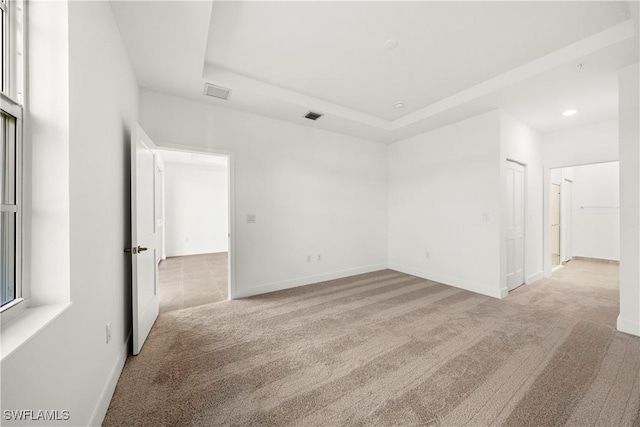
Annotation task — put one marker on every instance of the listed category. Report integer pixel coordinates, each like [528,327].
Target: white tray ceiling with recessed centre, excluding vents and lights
[454,59]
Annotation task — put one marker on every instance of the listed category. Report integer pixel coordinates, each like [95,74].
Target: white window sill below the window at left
[18,331]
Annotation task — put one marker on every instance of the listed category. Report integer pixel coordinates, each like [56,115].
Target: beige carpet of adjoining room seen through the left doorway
[192,280]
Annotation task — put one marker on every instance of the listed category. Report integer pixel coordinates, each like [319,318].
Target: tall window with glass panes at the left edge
[11,153]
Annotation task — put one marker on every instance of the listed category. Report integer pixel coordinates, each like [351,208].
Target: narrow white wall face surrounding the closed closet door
[522,144]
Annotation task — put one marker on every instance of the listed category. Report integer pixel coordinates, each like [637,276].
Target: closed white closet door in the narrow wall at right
[515,225]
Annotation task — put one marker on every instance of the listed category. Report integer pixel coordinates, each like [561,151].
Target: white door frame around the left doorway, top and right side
[231,262]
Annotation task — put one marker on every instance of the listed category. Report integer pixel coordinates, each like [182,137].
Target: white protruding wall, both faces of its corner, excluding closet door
[441,185]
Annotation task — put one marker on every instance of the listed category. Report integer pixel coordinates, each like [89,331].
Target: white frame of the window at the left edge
[12,96]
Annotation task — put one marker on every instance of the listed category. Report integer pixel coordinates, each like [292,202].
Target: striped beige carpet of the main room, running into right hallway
[387,348]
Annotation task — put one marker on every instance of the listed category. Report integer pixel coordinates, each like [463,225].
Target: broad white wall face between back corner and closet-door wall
[441,183]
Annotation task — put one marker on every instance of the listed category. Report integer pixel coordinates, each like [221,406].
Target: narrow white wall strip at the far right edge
[629,319]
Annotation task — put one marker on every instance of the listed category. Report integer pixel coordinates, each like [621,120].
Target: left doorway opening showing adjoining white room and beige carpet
[194,224]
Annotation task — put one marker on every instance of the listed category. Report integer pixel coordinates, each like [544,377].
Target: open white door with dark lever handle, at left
[144,237]
